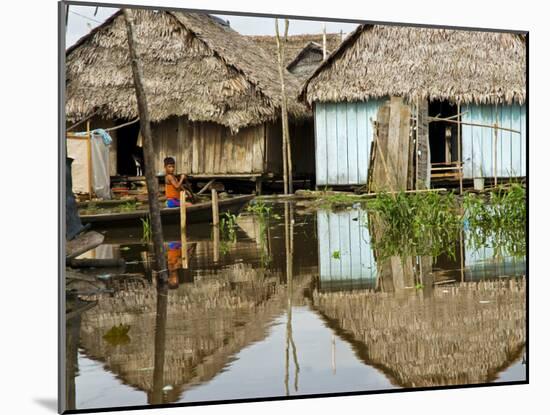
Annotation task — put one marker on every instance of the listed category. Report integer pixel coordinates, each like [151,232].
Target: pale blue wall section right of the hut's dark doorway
[478,142]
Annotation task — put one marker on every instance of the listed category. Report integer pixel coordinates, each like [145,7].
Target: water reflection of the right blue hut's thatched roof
[463,334]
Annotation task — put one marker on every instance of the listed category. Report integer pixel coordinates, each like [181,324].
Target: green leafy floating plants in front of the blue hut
[428,223]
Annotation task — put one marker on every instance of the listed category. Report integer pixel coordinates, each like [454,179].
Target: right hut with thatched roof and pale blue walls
[479,74]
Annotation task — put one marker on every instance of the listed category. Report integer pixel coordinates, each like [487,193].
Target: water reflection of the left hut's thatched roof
[206,324]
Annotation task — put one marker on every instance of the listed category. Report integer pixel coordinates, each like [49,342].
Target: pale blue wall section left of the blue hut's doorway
[343,136]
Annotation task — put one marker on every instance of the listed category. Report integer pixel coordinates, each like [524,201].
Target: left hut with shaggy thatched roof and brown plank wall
[213,94]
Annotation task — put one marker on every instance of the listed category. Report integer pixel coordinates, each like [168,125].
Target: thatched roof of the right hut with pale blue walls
[457,65]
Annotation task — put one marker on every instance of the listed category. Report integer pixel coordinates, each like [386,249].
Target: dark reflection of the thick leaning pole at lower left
[160,345]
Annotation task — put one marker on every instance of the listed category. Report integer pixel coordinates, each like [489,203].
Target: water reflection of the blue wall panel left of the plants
[344,232]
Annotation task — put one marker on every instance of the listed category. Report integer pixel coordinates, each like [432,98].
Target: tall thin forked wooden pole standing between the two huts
[287,168]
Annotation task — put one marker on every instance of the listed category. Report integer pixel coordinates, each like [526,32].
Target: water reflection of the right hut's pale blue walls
[348,259]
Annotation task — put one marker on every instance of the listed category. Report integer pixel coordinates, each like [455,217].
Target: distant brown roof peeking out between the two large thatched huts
[296,44]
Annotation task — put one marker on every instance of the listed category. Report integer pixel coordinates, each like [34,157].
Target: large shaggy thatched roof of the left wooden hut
[193,66]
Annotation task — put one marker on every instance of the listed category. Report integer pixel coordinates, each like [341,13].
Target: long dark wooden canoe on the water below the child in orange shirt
[199,212]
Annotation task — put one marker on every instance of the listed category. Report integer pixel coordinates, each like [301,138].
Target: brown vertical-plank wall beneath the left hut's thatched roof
[209,149]
